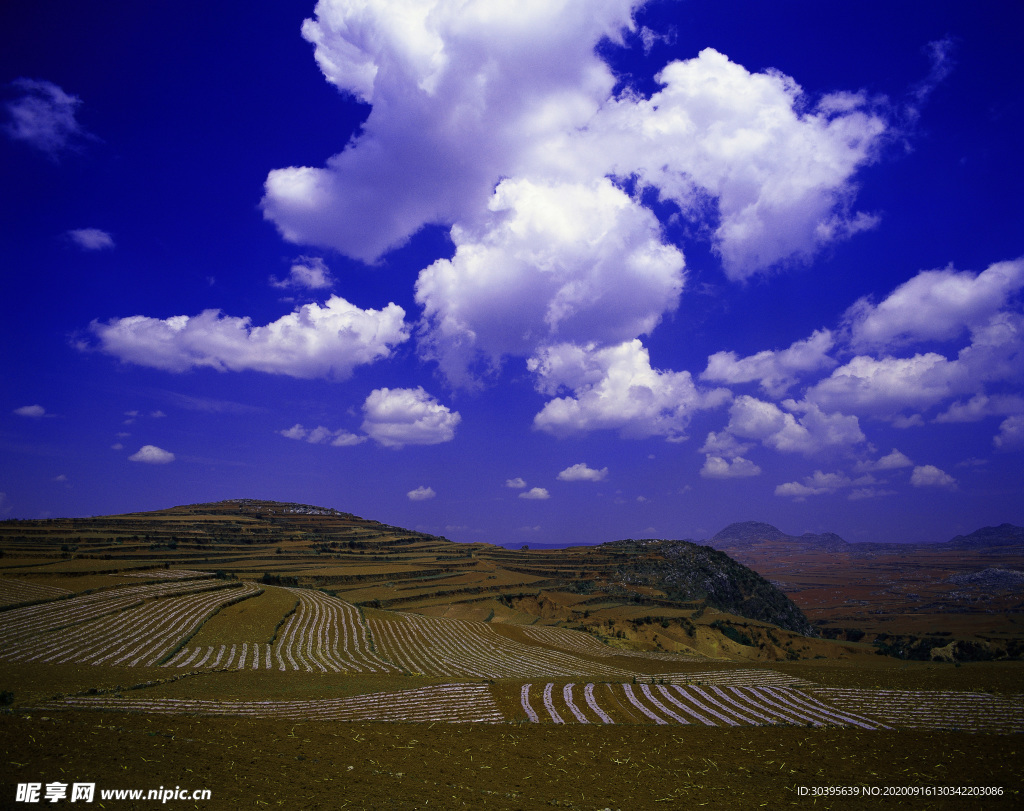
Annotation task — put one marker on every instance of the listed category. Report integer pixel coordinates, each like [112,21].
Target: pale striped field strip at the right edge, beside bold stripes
[941,710]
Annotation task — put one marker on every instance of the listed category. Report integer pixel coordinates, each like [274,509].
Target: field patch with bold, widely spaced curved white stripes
[659,704]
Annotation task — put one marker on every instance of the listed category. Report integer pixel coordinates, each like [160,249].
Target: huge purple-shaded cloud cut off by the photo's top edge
[461,94]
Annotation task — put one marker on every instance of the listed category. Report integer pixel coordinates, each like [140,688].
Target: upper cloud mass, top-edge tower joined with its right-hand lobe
[464,94]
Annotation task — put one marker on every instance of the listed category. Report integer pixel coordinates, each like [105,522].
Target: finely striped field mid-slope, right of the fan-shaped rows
[459,648]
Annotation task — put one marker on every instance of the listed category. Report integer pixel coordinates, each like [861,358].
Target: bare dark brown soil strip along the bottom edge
[258,763]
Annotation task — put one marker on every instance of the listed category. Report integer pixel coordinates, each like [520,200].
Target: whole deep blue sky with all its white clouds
[519,273]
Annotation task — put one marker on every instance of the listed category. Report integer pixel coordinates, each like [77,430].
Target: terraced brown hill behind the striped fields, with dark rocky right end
[383,567]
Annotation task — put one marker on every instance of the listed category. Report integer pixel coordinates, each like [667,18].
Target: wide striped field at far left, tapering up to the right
[142,635]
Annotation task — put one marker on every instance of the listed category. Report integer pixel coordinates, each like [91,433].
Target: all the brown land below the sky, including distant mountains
[291,656]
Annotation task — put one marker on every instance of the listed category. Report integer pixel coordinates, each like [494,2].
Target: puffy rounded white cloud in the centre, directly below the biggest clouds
[550,264]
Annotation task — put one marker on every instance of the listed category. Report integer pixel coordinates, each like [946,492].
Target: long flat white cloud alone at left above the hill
[313,342]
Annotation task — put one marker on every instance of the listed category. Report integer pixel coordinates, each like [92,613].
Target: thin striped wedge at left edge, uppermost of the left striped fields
[34,621]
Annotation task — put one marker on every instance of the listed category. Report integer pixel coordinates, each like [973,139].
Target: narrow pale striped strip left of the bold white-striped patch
[449,703]
